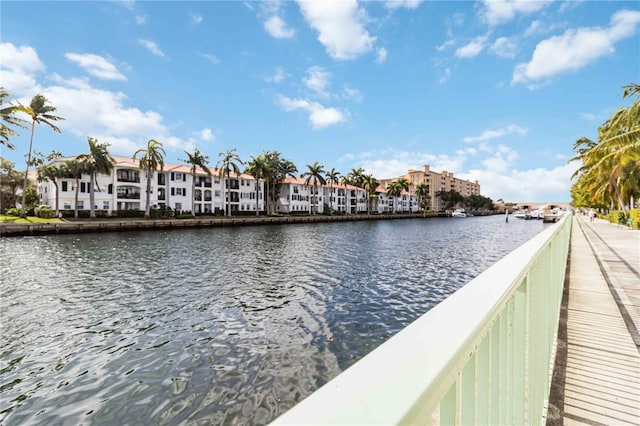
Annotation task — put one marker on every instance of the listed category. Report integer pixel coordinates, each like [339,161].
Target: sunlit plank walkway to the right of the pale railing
[596,378]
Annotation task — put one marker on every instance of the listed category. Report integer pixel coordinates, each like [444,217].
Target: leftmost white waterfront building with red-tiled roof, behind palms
[125,189]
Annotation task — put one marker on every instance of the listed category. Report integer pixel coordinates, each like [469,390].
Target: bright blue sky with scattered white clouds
[494,91]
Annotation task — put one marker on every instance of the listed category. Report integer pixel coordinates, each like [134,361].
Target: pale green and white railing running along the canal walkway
[482,356]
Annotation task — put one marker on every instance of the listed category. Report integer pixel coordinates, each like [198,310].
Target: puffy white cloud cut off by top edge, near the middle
[340,27]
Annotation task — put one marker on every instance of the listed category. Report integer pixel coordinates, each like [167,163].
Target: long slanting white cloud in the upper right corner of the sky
[575,49]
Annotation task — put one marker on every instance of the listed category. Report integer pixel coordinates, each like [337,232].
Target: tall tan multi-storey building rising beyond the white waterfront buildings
[444,181]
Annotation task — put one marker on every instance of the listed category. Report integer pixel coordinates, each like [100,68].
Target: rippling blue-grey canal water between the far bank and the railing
[221,325]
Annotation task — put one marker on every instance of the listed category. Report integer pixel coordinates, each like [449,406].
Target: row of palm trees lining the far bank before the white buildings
[270,166]
